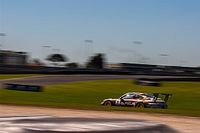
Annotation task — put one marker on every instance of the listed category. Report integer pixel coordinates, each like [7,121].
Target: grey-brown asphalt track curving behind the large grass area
[56,79]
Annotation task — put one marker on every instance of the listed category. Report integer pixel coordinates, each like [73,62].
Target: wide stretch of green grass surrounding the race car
[88,95]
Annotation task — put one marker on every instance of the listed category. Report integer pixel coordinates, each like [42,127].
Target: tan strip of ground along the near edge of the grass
[181,124]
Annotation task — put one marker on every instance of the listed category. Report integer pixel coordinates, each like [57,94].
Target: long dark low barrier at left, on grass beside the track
[20,87]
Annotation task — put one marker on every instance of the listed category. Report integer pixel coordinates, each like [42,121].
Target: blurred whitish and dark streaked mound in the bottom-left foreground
[41,124]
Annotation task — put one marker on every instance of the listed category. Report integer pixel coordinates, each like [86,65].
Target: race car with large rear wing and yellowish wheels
[139,100]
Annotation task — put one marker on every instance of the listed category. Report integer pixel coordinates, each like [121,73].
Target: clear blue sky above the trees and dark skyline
[133,31]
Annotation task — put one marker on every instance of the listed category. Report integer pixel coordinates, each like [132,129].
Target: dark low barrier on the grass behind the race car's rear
[147,82]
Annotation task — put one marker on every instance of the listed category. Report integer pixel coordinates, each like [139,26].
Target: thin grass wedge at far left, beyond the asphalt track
[10,76]
